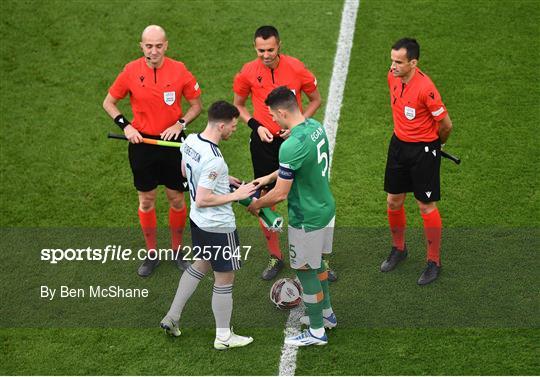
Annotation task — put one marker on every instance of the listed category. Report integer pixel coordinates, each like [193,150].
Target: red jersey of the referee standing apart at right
[417,108]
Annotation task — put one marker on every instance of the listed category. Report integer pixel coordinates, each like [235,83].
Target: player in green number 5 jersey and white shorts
[302,179]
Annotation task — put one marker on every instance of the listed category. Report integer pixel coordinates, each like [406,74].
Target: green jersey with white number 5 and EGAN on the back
[304,158]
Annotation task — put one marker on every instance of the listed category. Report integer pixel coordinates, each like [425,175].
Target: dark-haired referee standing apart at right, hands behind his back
[421,126]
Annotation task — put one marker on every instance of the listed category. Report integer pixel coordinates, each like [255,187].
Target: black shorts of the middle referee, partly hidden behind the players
[264,156]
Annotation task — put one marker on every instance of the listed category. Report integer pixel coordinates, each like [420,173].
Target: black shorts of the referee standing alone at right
[414,167]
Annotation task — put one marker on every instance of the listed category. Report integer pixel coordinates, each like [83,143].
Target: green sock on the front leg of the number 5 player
[312,296]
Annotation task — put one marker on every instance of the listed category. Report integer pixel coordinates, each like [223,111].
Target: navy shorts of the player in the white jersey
[222,250]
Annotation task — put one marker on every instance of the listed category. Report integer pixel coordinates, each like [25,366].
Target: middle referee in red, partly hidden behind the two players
[257,79]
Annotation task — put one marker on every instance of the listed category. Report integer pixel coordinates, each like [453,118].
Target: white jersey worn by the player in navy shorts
[205,167]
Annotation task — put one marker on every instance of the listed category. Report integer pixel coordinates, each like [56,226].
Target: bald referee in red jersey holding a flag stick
[156,85]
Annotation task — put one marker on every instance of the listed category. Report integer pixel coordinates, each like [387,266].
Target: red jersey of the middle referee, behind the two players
[259,80]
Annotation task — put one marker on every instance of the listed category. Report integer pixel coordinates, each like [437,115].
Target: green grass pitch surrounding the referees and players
[64,183]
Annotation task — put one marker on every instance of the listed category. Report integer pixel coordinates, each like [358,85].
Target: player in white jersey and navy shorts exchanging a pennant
[213,227]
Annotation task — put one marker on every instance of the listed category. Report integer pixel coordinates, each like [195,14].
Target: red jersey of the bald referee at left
[155,93]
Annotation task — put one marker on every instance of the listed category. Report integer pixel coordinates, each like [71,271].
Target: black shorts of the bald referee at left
[154,165]
